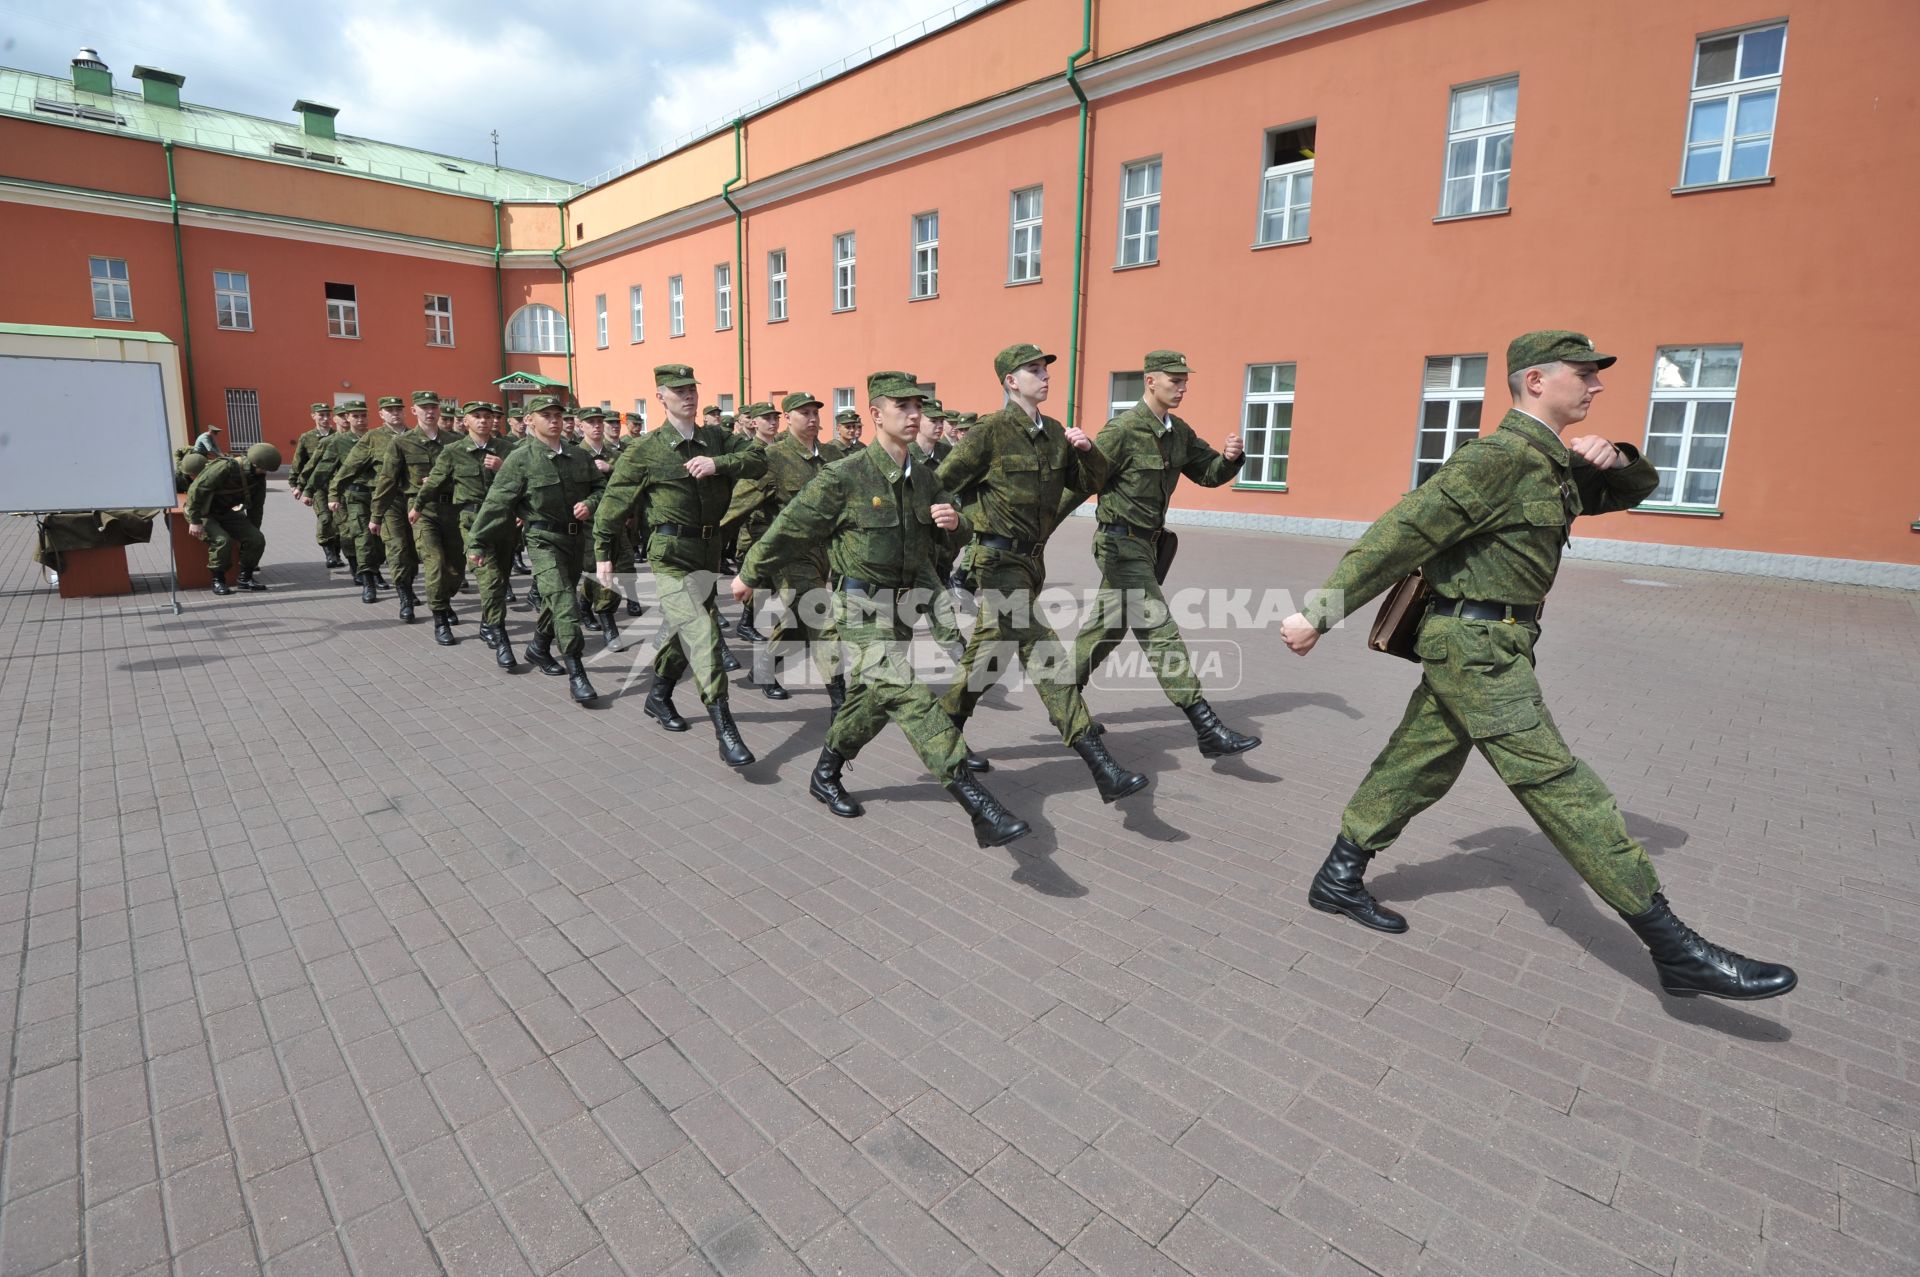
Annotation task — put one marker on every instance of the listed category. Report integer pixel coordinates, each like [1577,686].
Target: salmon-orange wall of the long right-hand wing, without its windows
[1810,276]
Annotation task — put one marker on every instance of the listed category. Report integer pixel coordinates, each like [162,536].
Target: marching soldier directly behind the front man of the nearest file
[681,477]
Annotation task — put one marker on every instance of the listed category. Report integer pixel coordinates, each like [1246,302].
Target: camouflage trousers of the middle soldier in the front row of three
[1011,625]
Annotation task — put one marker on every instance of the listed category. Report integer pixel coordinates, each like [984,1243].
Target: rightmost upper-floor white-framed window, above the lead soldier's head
[1731,116]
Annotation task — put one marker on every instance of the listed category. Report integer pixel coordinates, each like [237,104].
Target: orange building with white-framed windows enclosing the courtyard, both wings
[1341,210]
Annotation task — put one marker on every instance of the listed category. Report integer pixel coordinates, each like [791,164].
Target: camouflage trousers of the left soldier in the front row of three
[882,688]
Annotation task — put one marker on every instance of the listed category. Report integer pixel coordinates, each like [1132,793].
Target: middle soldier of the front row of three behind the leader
[1022,462]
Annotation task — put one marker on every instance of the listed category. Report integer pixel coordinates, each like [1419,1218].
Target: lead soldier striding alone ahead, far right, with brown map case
[1489,533]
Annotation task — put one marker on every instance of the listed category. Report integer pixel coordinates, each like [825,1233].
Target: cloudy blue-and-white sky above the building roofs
[573,89]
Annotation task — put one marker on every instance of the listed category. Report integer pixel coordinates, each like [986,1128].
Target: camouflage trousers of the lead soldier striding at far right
[1479,692]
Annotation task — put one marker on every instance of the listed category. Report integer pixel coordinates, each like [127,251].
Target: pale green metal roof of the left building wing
[53,101]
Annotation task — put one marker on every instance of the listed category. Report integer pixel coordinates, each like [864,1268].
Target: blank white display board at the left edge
[84,435]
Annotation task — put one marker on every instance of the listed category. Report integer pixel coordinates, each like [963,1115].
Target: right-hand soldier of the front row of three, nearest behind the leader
[1149,450]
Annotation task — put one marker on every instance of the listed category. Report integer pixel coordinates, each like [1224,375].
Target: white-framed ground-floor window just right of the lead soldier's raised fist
[1689,423]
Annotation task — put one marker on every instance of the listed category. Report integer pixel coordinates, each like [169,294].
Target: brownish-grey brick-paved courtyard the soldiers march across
[329,952]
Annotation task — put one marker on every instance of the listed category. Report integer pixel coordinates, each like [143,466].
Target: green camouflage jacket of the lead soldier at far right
[1491,525]
